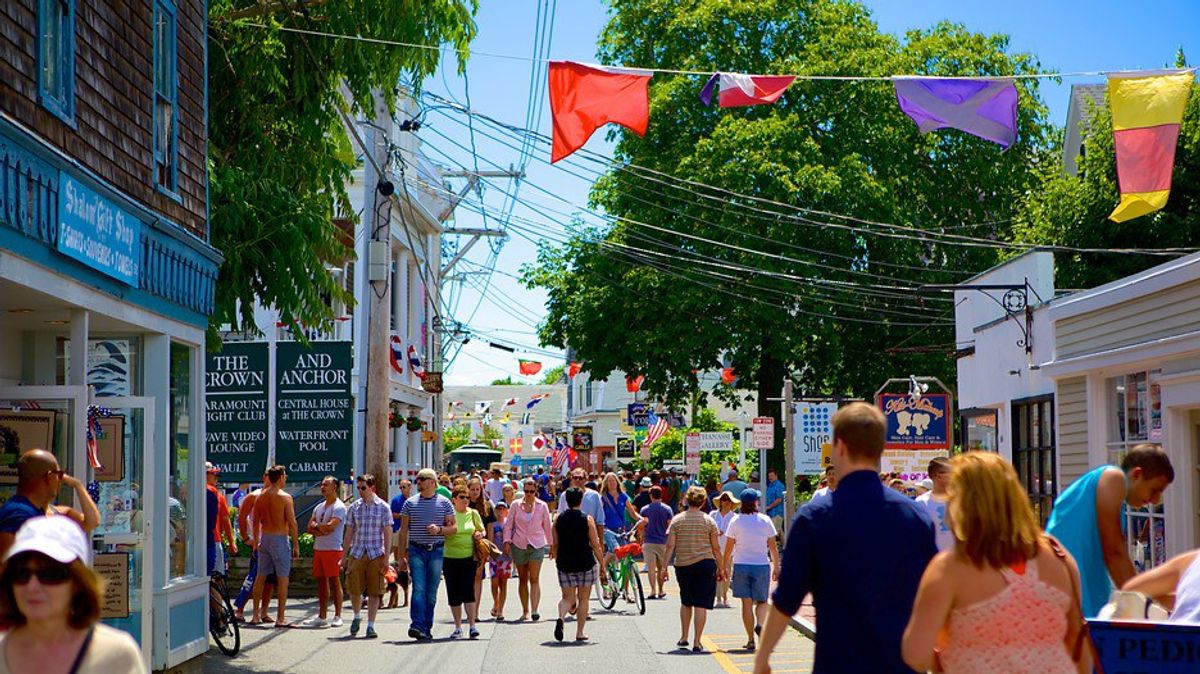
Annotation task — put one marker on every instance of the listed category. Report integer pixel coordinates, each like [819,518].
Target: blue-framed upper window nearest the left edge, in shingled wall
[56,58]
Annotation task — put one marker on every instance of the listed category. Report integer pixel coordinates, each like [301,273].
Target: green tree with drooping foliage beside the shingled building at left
[279,153]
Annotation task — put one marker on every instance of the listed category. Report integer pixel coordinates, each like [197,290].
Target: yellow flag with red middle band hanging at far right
[1148,111]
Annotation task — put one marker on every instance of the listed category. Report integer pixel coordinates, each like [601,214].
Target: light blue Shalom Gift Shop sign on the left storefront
[98,233]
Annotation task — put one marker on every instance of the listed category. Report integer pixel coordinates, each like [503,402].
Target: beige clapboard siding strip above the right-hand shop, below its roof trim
[1172,312]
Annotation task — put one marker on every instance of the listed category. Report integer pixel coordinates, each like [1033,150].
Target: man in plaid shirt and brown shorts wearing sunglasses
[368,532]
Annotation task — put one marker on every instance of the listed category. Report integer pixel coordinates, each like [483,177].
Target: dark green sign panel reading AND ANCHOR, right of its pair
[314,411]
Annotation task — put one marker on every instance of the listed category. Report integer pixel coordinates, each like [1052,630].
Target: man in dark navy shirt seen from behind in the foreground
[861,555]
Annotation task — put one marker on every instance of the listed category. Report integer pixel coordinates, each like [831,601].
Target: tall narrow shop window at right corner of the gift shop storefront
[181,444]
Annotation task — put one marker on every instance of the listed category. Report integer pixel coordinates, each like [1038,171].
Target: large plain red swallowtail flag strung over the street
[583,99]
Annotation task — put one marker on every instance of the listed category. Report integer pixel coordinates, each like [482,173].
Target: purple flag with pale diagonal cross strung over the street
[982,107]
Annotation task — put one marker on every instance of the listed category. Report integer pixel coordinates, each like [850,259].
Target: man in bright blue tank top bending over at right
[1088,519]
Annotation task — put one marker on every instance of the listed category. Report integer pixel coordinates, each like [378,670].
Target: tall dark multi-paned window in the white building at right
[1034,453]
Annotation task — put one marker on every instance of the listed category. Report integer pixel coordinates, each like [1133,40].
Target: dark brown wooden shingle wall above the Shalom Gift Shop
[115,87]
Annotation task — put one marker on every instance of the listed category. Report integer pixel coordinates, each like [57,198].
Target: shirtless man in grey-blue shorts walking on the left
[275,523]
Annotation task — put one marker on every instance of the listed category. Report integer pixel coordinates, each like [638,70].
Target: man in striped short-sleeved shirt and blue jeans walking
[425,522]
